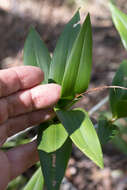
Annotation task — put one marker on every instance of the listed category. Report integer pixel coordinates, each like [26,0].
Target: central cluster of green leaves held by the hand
[70,66]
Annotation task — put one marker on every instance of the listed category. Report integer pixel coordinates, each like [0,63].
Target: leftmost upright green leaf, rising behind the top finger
[36,53]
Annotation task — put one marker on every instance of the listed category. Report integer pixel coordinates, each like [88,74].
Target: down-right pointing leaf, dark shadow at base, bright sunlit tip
[82,133]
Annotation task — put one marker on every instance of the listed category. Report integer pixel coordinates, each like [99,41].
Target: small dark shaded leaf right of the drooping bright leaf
[106,130]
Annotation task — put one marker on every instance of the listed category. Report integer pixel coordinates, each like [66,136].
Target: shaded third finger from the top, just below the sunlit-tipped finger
[17,124]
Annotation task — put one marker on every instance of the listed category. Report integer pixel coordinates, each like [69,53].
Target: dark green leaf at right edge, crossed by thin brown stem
[118,97]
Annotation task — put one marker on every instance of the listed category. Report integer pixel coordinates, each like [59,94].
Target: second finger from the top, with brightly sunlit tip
[39,97]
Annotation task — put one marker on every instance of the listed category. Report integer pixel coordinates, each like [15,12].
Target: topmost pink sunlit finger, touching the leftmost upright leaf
[18,78]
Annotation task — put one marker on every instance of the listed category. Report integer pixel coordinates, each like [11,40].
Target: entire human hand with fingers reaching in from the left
[23,103]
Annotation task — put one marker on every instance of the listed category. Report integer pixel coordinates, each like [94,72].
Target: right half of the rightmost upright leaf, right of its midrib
[84,70]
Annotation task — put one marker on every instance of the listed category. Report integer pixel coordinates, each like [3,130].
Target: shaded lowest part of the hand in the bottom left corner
[15,161]
